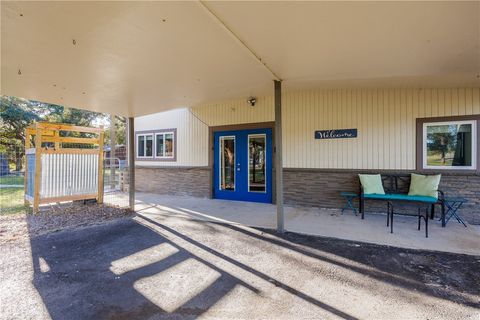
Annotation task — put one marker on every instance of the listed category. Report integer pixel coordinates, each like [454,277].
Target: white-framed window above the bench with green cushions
[450,145]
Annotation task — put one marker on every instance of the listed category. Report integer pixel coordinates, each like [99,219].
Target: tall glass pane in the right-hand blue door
[256,163]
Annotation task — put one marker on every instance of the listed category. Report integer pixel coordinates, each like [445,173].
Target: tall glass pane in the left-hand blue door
[227,163]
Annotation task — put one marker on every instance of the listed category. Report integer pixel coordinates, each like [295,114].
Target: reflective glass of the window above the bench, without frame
[450,145]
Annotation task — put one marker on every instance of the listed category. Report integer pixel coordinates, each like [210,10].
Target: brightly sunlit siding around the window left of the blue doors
[192,137]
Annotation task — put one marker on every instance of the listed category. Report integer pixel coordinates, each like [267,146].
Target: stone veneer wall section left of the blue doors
[191,181]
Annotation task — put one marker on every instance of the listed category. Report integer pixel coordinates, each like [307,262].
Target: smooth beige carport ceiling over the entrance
[136,58]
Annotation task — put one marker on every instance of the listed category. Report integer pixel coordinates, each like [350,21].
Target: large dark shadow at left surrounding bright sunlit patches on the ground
[72,273]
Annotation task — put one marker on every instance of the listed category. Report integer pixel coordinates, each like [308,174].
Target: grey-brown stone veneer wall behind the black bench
[321,188]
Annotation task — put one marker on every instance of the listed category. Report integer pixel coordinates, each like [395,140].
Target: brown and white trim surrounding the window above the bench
[420,143]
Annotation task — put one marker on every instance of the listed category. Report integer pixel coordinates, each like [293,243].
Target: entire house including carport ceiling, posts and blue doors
[263,101]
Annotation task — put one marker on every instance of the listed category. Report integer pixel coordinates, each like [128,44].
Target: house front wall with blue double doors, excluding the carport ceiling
[225,150]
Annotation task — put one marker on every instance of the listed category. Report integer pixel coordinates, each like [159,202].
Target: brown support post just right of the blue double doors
[278,156]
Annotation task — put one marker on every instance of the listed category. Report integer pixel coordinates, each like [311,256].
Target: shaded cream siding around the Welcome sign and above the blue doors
[385,119]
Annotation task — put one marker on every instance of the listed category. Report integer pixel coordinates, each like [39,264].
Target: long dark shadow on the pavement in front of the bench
[443,275]
